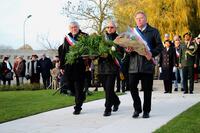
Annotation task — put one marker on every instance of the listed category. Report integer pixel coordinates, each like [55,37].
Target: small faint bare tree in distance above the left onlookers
[47,44]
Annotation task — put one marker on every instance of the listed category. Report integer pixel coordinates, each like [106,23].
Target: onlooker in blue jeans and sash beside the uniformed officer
[178,72]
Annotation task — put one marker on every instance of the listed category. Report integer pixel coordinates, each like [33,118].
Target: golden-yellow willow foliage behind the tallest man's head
[173,17]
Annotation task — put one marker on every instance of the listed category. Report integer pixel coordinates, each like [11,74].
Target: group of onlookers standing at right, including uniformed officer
[179,62]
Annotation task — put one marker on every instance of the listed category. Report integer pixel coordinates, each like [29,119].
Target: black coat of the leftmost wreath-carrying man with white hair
[76,70]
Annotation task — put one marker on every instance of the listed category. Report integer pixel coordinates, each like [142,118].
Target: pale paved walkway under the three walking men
[91,120]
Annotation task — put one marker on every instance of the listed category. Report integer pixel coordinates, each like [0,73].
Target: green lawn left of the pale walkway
[18,104]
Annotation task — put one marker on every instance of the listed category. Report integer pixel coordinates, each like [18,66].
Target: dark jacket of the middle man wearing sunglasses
[107,65]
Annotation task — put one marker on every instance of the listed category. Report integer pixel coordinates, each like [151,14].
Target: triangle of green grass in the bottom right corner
[186,122]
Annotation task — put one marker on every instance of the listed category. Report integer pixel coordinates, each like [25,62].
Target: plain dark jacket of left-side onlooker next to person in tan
[46,66]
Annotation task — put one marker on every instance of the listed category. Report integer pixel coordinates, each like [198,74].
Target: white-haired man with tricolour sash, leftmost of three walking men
[74,74]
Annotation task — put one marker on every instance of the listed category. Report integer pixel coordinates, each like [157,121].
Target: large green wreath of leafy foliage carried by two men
[90,47]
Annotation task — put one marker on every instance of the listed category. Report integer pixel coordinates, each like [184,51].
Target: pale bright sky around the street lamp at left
[46,19]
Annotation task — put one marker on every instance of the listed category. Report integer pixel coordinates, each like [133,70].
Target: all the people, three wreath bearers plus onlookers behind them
[178,61]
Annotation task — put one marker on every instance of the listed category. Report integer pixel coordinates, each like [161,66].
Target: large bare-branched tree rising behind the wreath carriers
[94,11]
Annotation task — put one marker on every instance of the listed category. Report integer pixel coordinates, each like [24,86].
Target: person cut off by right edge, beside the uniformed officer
[197,41]
